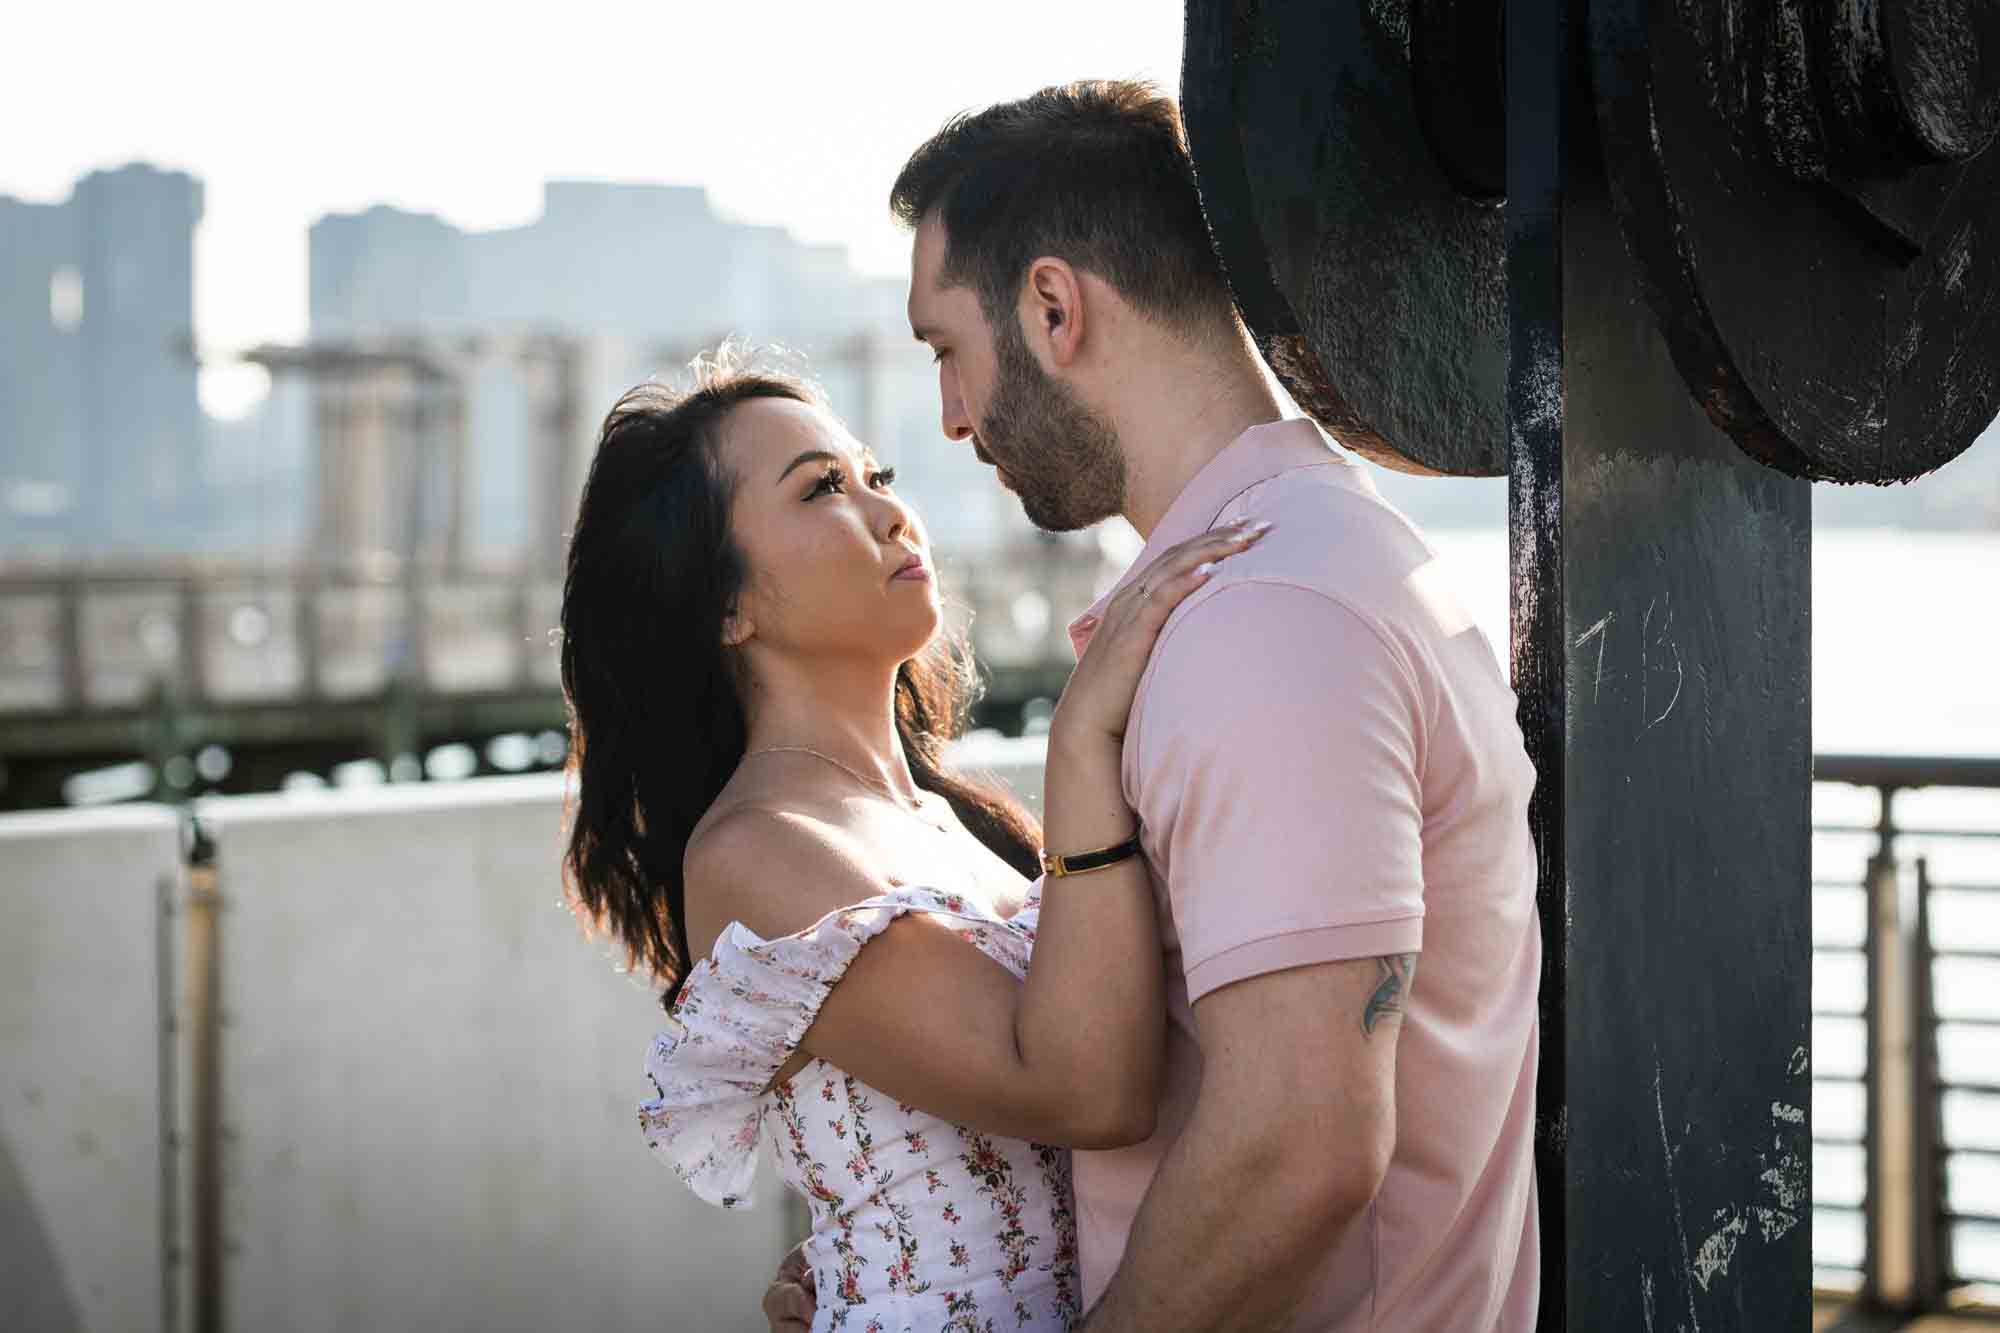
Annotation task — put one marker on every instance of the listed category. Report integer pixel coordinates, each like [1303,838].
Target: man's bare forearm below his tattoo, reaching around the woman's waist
[1229,1240]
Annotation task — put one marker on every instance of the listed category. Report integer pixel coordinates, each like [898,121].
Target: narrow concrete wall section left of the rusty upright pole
[81,1170]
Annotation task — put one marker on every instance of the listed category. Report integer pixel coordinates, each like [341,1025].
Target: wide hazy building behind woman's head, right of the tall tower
[637,279]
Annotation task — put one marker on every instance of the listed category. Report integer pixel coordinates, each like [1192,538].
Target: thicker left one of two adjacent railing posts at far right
[1889,1278]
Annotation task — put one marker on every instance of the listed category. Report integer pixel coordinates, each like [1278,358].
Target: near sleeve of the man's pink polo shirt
[1279,772]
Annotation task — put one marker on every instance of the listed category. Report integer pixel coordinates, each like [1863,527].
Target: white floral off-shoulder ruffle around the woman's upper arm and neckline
[741,1018]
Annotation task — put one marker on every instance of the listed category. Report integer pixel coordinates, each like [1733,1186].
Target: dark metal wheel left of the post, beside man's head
[1351,167]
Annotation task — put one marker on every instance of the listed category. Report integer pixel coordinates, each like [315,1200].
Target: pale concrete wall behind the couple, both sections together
[429,1078]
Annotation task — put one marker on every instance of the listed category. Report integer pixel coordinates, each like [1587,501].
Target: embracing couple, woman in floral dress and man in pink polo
[1245,1034]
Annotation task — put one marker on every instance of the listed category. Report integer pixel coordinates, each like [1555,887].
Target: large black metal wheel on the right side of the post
[1813,197]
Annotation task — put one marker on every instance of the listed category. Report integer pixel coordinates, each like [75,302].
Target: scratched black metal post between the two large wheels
[1661,627]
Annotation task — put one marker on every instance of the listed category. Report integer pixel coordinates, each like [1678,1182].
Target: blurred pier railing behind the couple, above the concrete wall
[301,668]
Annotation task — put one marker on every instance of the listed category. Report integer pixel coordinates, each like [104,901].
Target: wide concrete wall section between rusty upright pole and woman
[431,1084]
